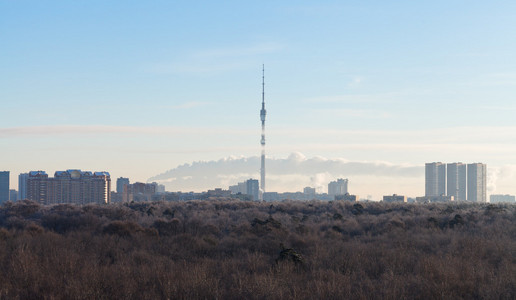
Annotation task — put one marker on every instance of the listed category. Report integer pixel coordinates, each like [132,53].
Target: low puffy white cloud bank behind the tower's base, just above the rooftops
[285,174]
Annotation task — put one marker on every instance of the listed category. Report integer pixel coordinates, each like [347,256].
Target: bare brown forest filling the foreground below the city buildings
[226,249]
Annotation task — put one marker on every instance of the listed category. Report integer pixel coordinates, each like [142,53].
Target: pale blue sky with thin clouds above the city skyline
[143,89]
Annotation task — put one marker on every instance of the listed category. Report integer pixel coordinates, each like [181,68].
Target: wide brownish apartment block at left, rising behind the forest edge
[71,186]
